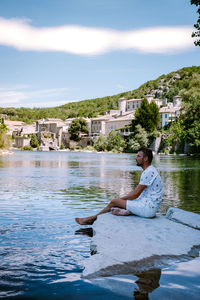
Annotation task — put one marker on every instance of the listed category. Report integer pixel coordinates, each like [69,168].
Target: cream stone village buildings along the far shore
[52,133]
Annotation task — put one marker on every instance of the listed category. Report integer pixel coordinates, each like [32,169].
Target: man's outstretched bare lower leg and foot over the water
[121,203]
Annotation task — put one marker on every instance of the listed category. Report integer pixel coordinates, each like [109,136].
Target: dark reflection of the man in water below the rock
[148,281]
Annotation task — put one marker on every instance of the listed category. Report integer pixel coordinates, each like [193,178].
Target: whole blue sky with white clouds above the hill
[53,52]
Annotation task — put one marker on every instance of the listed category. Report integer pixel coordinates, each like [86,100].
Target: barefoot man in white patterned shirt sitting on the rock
[147,195]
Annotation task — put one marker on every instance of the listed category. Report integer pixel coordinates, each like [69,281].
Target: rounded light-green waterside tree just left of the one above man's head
[115,142]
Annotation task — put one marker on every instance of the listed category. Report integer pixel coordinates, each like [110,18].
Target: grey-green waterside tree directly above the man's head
[138,140]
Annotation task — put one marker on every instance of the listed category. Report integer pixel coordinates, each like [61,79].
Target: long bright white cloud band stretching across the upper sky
[93,41]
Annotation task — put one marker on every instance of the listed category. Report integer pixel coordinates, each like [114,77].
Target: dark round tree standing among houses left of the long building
[77,127]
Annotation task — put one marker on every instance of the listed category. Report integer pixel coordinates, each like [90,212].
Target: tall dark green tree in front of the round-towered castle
[147,115]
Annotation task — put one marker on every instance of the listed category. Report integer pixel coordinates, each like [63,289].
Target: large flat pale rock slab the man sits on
[142,243]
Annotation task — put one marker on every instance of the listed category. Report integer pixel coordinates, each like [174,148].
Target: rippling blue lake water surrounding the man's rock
[41,253]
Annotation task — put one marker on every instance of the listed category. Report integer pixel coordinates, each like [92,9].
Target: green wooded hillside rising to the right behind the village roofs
[184,82]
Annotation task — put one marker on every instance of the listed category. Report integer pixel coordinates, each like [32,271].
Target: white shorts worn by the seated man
[141,208]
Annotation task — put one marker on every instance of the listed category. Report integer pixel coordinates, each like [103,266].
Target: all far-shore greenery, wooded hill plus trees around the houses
[185,130]
